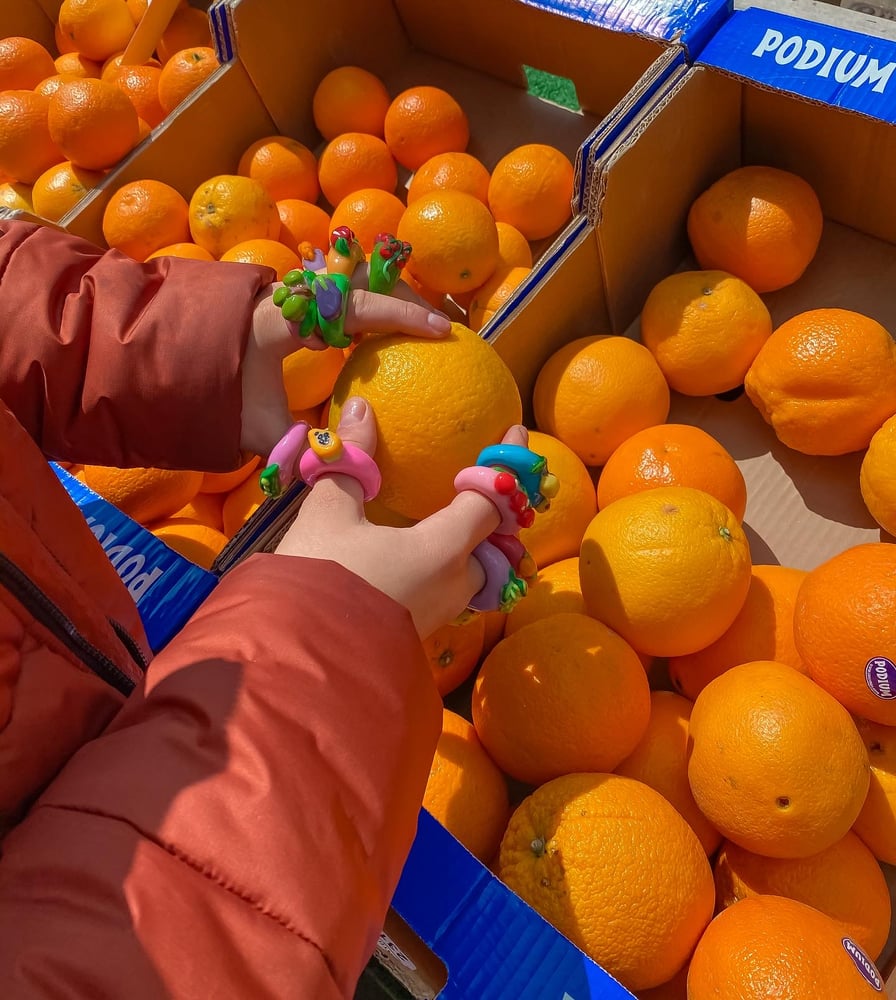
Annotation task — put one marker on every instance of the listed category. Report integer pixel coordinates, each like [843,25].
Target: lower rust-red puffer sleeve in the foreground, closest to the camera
[239,829]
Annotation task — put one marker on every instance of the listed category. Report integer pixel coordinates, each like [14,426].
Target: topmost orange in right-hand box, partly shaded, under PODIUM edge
[758,223]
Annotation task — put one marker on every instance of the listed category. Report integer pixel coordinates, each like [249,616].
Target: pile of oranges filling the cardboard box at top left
[67,118]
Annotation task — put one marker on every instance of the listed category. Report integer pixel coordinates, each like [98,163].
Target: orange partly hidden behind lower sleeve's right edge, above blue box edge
[465,792]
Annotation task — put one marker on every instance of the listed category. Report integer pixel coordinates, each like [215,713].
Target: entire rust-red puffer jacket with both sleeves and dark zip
[235,826]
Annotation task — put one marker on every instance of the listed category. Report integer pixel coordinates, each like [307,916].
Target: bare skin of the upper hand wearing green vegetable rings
[265,413]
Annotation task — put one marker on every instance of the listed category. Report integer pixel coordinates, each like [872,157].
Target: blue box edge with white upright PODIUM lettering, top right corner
[822,62]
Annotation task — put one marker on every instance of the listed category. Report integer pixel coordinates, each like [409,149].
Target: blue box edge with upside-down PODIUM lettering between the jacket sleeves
[166,587]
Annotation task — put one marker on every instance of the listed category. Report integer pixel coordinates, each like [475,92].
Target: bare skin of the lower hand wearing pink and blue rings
[428,568]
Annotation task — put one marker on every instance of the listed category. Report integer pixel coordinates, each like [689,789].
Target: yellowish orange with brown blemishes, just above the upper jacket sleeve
[229,209]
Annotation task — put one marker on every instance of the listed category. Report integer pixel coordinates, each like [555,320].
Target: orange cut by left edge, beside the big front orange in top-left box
[27,148]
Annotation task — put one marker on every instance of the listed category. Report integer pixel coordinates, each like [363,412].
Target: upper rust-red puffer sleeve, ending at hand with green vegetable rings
[92,342]
